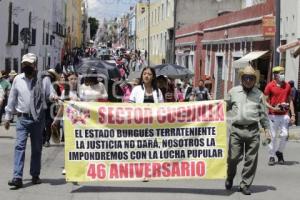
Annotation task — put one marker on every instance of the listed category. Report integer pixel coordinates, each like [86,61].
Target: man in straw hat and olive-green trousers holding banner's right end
[246,108]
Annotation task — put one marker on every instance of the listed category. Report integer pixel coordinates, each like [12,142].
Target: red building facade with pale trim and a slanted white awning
[227,43]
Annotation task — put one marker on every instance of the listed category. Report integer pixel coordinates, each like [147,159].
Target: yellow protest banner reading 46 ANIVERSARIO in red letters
[129,142]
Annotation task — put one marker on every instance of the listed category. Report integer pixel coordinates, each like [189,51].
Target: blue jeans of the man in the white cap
[25,127]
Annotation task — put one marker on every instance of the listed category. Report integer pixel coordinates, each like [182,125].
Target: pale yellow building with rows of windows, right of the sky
[161,19]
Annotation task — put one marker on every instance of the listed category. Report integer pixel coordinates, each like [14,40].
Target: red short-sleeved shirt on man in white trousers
[277,95]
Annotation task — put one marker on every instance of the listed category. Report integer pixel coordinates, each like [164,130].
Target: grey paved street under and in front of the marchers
[278,182]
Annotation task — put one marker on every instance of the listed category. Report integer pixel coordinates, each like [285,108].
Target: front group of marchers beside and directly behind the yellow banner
[33,99]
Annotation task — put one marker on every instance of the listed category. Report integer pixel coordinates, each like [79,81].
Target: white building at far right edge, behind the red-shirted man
[289,35]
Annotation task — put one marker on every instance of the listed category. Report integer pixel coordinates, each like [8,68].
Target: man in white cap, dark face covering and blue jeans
[27,97]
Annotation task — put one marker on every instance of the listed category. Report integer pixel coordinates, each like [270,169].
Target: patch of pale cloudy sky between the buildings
[109,8]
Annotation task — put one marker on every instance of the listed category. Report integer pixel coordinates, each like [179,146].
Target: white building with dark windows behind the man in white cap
[43,19]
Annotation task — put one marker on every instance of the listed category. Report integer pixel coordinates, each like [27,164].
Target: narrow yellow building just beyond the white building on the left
[74,21]
